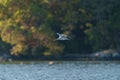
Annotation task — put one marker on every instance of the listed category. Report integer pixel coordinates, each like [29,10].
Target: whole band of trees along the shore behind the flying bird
[29,27]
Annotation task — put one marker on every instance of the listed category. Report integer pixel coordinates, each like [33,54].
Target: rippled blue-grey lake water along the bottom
[66,70]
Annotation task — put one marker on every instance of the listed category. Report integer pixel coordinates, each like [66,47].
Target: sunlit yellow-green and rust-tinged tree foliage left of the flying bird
[23,25]
